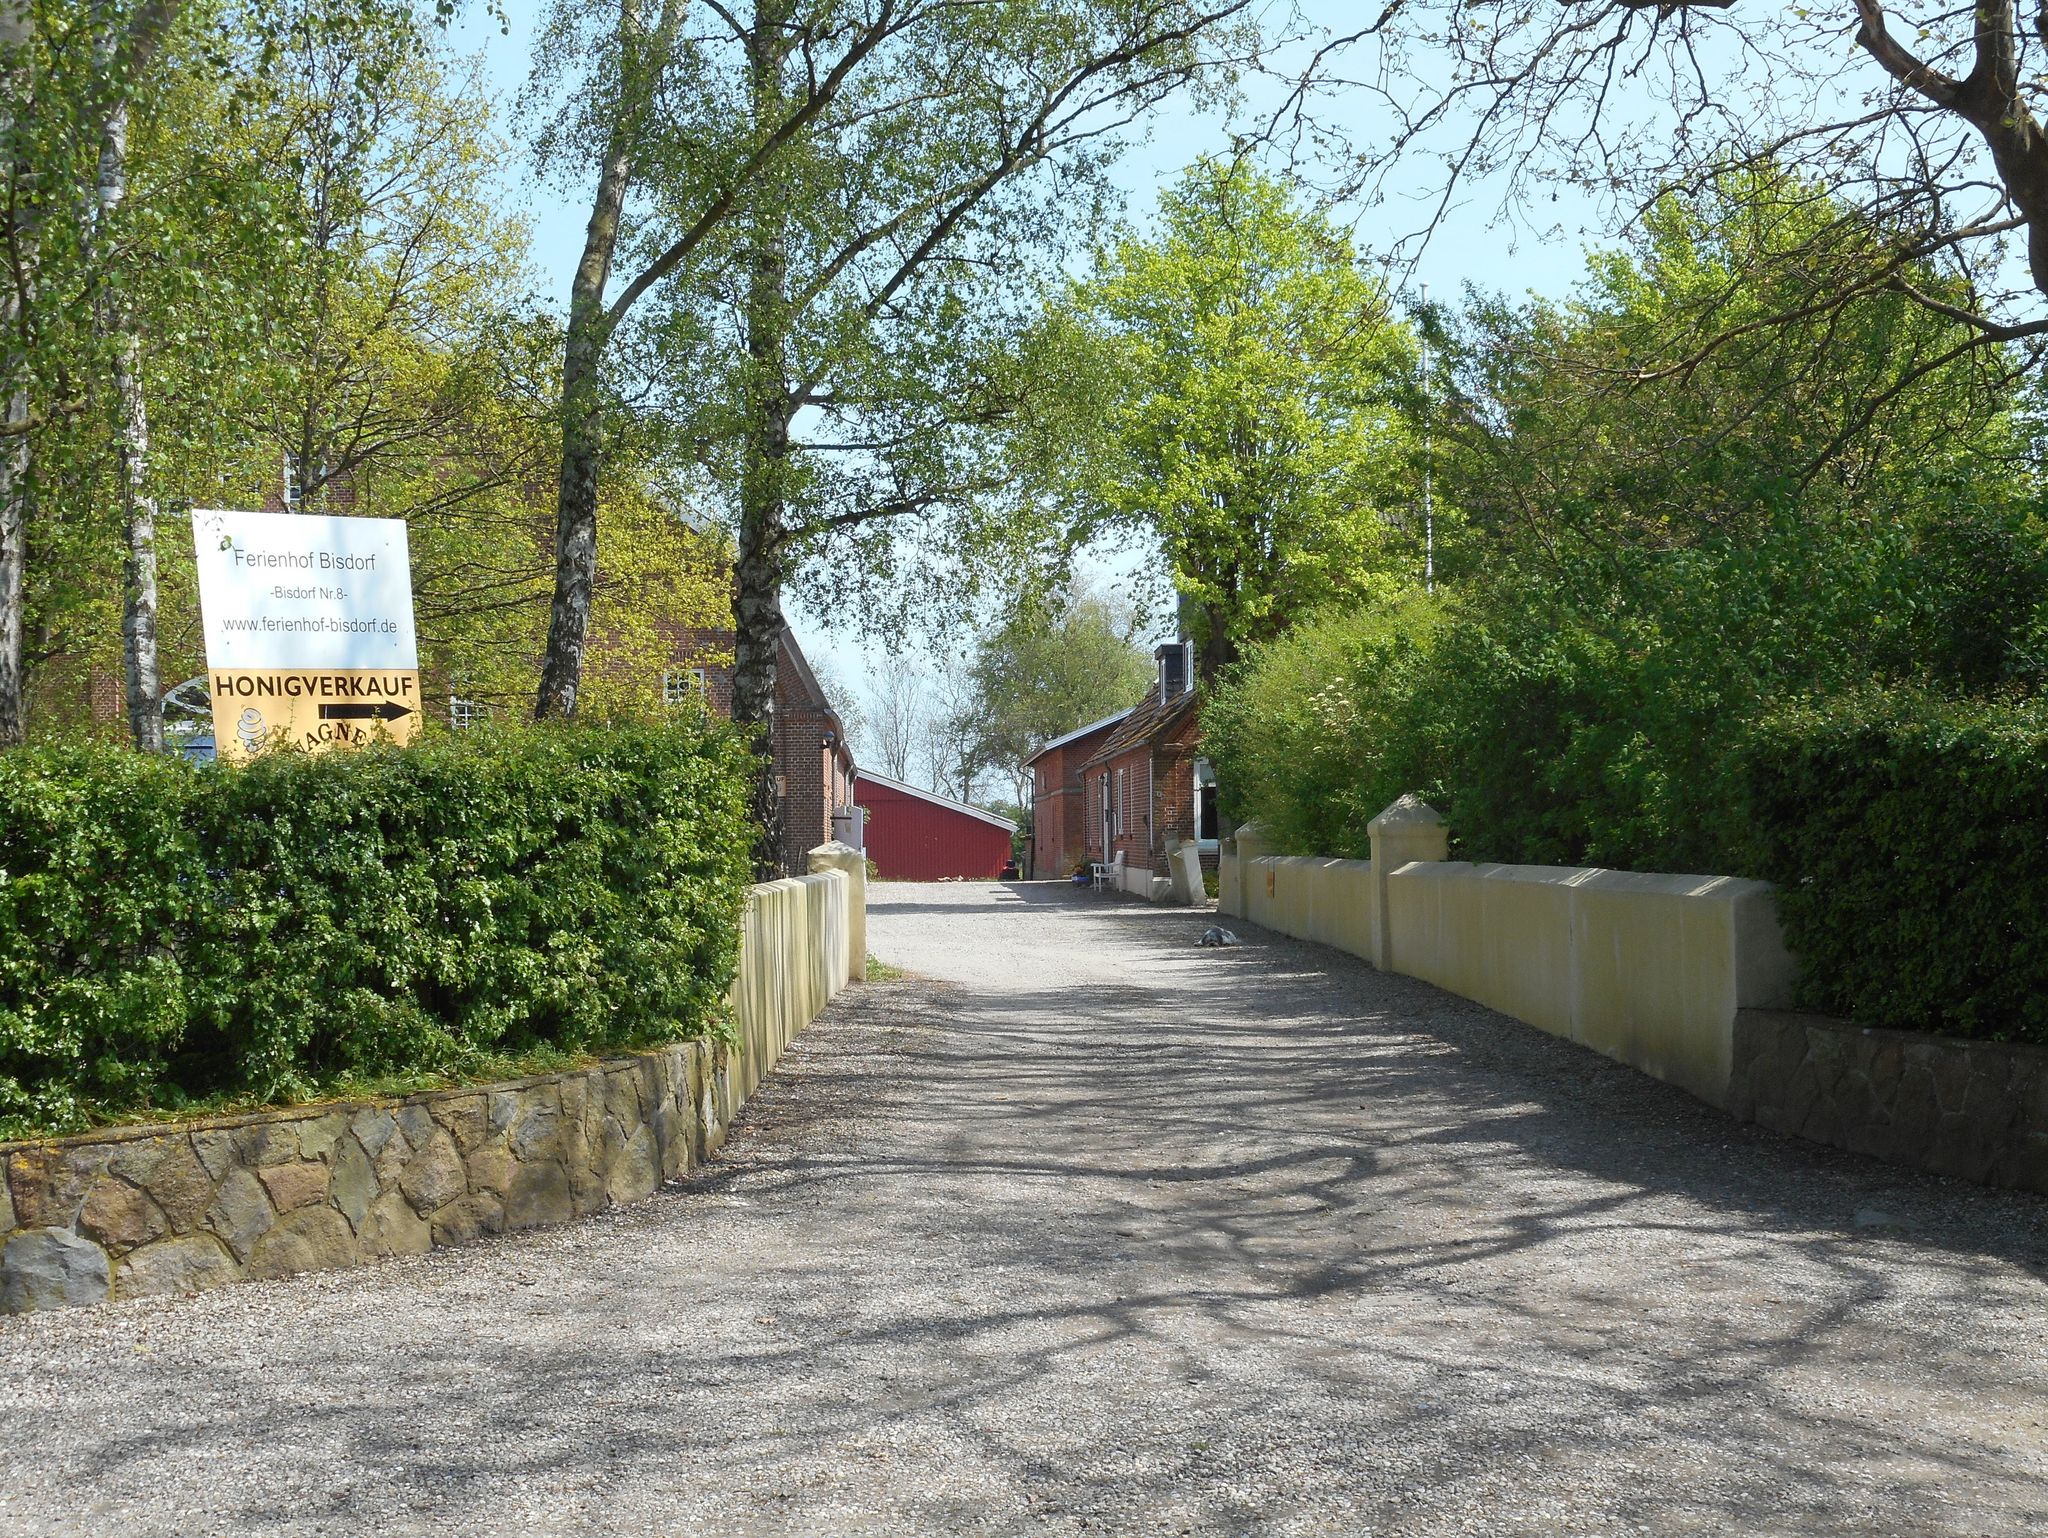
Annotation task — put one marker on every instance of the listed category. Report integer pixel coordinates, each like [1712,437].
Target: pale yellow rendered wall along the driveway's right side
[1648,970]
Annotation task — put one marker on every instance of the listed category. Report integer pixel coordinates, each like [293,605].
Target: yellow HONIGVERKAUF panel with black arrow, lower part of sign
[347,708]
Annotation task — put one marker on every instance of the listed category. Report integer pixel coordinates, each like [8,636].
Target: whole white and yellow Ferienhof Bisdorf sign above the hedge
[308,630]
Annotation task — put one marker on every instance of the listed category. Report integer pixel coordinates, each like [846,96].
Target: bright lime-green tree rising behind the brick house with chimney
[1248,382]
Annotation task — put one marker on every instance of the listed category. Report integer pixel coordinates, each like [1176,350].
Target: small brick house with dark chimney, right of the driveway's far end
[1148,783]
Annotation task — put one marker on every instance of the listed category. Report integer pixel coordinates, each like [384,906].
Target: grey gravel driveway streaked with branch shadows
[1084,1230]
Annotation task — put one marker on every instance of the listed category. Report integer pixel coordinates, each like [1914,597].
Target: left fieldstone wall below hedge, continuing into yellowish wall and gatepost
[196,1205]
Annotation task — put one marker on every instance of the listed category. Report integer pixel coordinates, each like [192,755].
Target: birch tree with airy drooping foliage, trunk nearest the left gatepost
[855,318]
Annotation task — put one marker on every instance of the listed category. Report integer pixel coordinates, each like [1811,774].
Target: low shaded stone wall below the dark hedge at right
[1967,1109]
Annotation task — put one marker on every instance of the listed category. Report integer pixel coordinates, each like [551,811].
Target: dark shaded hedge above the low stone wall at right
[1912,847]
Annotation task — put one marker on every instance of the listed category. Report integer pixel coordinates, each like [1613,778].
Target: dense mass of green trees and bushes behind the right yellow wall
[1658,566]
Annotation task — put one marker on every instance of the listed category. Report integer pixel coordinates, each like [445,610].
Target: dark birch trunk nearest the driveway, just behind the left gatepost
[765,462]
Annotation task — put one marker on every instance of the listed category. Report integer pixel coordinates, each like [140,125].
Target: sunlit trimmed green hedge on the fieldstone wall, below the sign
[179,935]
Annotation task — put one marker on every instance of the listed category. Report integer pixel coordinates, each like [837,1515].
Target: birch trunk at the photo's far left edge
[15,450]
